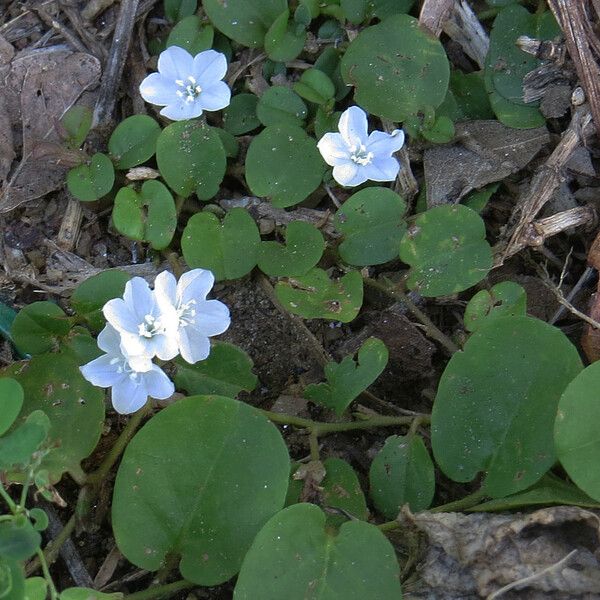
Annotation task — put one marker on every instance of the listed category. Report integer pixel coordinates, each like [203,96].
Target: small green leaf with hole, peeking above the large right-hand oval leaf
[505,299]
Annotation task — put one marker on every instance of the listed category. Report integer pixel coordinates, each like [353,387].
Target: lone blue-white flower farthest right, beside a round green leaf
[357,156]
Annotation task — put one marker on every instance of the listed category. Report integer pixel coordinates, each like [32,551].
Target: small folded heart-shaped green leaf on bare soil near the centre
[348,379]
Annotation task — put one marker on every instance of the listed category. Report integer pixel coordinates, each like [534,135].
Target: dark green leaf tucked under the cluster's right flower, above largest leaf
[227,371]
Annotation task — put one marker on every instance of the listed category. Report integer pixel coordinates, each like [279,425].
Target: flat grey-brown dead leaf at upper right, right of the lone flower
[484,152]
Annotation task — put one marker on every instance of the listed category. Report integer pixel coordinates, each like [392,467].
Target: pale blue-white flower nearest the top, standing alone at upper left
[187,85]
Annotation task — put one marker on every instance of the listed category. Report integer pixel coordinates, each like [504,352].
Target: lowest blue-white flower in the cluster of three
[130,387]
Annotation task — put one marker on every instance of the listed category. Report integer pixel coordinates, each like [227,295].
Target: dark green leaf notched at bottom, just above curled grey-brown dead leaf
[402,473]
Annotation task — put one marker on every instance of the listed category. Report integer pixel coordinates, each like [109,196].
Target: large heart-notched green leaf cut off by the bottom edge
[296,557]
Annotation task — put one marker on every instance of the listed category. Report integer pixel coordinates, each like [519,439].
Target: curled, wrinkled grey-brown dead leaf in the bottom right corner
[472,556]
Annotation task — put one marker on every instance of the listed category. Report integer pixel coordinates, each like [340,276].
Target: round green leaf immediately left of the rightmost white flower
[283,164]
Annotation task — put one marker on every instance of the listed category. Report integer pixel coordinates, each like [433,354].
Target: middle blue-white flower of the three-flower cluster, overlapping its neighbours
[146,329]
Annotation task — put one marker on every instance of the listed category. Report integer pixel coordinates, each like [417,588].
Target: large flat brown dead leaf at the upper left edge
[37,90]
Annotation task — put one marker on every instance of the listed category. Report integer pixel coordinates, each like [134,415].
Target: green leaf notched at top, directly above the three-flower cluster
[229,249]
